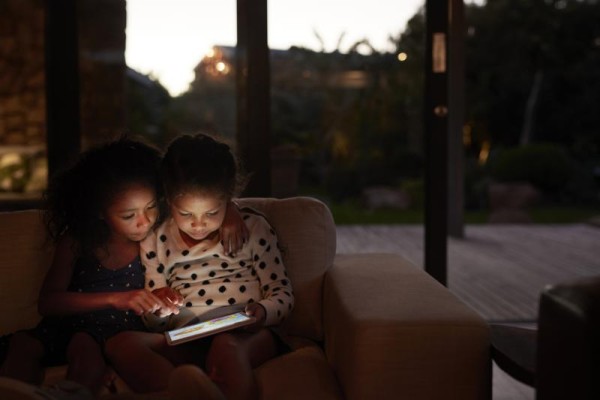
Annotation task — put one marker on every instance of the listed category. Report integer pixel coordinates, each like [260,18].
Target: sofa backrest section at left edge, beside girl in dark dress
[24,261]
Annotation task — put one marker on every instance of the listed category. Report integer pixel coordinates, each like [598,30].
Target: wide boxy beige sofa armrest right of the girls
[391,330]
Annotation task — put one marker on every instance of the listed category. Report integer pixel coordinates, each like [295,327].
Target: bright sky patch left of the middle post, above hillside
[168,38]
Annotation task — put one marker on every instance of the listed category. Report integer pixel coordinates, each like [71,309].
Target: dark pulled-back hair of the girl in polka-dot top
[203,163]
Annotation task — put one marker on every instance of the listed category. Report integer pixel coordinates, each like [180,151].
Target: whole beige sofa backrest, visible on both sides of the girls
[305,230]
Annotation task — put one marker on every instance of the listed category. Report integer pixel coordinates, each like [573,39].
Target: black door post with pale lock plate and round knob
[436,138]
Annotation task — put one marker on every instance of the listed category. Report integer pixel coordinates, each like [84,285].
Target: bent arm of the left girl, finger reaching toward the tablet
[56,300]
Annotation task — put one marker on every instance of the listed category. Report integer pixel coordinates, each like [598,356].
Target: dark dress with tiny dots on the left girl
[90,276]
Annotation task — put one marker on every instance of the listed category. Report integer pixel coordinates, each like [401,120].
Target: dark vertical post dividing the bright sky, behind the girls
[253,95]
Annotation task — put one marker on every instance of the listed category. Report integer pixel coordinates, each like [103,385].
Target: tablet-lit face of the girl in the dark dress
[132,213]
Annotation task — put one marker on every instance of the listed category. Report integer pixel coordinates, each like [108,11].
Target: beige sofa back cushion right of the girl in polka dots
[307,238]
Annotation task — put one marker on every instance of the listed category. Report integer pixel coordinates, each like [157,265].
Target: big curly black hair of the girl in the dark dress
[77,196]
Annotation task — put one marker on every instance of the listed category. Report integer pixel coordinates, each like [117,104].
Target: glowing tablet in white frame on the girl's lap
[207,328]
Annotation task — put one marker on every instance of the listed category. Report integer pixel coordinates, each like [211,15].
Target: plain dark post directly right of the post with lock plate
[456,101]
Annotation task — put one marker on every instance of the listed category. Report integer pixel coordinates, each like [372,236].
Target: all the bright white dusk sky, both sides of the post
[168,38]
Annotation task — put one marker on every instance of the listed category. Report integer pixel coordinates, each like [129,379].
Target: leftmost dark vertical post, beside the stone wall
[62,83]
